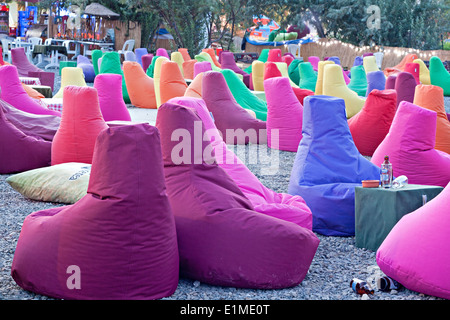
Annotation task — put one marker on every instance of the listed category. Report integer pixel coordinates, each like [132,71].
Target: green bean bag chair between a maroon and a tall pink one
[243,96]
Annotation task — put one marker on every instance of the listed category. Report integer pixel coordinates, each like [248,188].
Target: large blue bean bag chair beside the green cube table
[328,166]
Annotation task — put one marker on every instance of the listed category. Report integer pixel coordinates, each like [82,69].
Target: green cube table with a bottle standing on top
[377,210]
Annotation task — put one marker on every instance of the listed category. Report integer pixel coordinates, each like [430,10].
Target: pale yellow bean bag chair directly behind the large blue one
[334,85]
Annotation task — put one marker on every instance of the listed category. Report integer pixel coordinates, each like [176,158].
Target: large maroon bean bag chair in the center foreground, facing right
[222,240]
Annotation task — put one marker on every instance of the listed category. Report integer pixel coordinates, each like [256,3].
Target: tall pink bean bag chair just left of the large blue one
[284,115]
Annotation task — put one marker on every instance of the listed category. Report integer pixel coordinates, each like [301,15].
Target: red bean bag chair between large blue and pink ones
[371,125]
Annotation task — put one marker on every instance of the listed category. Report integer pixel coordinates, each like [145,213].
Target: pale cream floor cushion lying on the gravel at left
[61,183]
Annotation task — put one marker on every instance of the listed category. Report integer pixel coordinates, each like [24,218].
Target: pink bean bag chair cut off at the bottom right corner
[415,252]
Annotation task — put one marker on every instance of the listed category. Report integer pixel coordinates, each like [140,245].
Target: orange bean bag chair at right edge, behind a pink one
[432,98]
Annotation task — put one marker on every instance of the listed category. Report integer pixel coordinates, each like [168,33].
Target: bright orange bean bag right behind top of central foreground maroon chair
[171,82]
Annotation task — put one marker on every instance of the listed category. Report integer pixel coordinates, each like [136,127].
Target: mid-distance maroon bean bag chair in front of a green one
[234,122]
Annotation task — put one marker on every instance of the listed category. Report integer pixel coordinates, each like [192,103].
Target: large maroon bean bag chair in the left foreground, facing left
[120,236]
